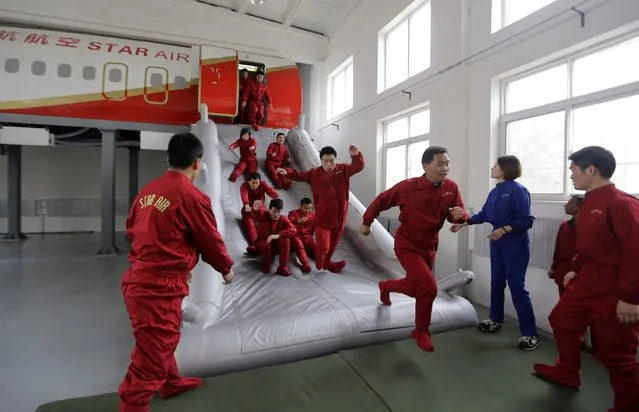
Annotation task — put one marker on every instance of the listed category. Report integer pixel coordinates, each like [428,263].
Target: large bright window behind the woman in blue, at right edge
[587,99]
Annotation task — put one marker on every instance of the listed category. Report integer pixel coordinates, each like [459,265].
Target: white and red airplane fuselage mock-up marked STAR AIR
[46,75]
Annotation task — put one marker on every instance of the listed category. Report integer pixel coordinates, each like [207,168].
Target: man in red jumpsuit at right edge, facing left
[603,286]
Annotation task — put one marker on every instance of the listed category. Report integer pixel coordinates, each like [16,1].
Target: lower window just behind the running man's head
[405,139]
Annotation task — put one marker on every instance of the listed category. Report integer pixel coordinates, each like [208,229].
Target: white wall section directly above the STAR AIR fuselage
[176,21]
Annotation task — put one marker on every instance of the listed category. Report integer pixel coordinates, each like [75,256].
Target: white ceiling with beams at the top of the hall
[318,16]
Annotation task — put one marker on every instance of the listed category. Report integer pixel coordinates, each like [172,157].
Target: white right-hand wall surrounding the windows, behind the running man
[464,101]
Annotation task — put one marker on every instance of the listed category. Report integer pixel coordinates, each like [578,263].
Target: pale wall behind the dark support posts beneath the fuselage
[73,173]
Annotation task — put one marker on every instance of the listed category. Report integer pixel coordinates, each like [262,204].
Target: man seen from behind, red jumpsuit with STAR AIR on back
[170,224]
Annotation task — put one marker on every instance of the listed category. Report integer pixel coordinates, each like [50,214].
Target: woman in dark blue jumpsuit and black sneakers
[508,210]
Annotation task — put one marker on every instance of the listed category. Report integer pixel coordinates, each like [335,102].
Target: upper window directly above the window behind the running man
[404,47]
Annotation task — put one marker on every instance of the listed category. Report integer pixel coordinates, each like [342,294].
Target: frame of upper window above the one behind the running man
[383,44]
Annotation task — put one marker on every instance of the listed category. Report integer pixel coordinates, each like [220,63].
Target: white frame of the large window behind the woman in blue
[568,105]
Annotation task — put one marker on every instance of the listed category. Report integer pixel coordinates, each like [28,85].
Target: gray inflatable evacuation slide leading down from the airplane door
[264,319]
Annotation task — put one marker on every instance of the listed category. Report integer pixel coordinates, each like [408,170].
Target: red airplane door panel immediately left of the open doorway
[219,80]
